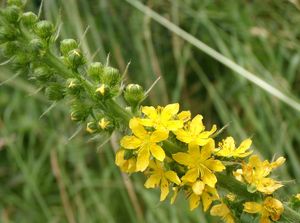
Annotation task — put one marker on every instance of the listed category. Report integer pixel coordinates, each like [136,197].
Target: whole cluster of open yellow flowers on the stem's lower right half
[176,151]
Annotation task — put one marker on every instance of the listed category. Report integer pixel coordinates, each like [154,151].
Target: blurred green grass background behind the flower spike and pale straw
[46,177]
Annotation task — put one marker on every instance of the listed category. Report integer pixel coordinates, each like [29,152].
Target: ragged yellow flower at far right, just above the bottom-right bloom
[255,173]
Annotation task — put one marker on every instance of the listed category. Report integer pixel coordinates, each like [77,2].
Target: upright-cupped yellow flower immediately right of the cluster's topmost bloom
[193,132]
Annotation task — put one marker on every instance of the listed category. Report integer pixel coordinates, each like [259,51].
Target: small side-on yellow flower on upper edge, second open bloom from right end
[227,148]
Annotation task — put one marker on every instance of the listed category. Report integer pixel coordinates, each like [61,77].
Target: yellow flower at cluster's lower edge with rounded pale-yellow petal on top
[200,191]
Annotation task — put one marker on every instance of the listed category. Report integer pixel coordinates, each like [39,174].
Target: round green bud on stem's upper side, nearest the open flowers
[134,94]
